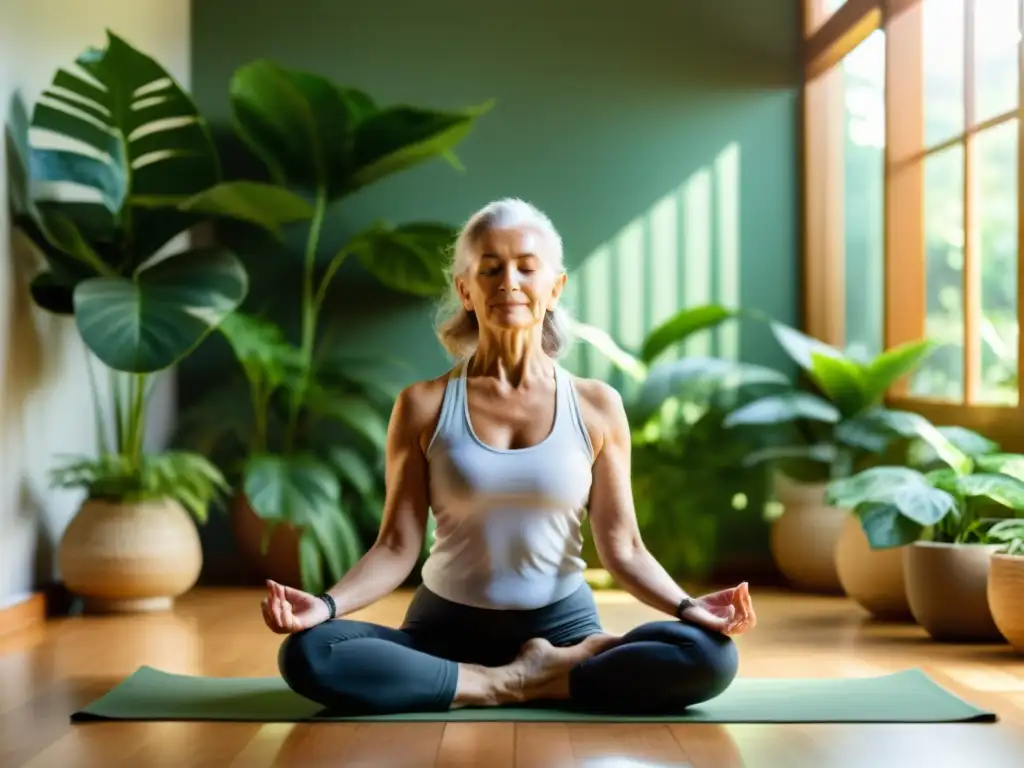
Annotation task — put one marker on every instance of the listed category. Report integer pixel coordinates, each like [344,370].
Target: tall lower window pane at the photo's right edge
[995,166]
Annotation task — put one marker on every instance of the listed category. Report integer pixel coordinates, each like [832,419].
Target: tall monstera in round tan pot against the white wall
[107,176]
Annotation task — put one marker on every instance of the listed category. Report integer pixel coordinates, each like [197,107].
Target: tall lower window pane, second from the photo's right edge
[943,374]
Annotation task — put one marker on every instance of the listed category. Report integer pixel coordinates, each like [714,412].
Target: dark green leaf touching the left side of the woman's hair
[410,259]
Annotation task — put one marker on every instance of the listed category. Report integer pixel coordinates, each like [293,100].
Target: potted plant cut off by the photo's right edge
[1006,581]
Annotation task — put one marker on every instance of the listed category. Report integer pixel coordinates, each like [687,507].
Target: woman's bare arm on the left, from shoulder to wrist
[383,569]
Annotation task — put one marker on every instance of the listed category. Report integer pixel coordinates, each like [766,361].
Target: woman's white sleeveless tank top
[508,523]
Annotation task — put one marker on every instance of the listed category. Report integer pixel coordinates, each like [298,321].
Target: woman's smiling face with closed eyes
[511,285]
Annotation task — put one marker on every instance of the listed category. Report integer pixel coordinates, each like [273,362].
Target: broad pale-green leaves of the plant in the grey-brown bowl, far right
[966,500]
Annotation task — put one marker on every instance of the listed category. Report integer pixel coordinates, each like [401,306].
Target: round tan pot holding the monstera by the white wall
[123,558]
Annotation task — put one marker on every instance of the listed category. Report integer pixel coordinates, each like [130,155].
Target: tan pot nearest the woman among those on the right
[803,540]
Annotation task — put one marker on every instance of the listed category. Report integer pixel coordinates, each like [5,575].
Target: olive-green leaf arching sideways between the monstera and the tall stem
[268,206]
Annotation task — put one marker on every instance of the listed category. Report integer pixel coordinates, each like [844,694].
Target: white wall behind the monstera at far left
[46,401]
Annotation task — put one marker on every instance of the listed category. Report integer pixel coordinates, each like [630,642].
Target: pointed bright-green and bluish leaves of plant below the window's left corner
[841,426]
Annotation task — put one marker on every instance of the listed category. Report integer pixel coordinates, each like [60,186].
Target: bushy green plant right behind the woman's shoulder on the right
[688,468]
